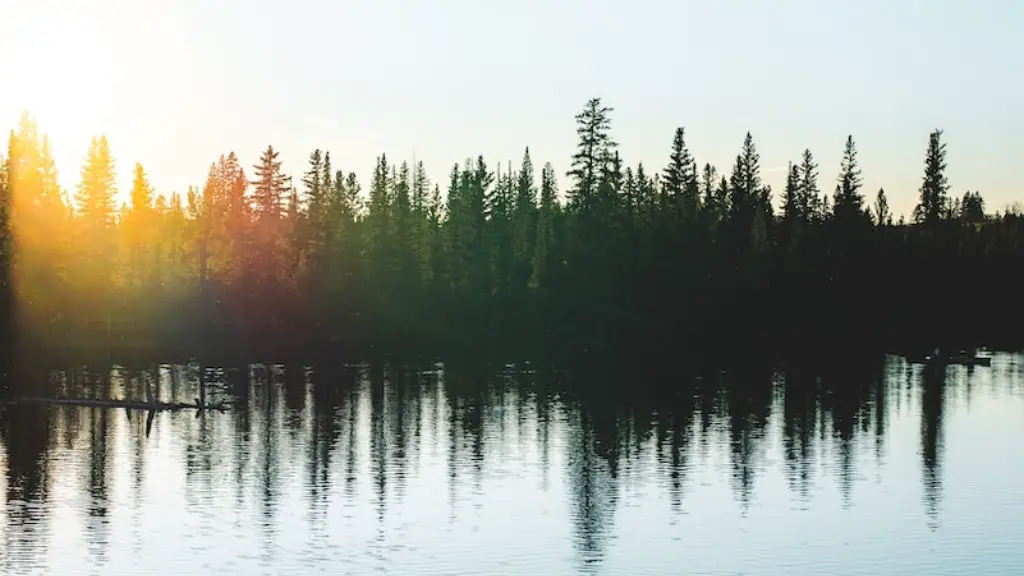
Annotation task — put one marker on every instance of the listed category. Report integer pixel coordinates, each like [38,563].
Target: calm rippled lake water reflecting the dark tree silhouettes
[898,471]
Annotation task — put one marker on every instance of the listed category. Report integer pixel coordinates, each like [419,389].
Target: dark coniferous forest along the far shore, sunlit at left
[605,261]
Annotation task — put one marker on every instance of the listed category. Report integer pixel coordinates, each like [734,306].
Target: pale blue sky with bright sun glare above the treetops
[177,85]
